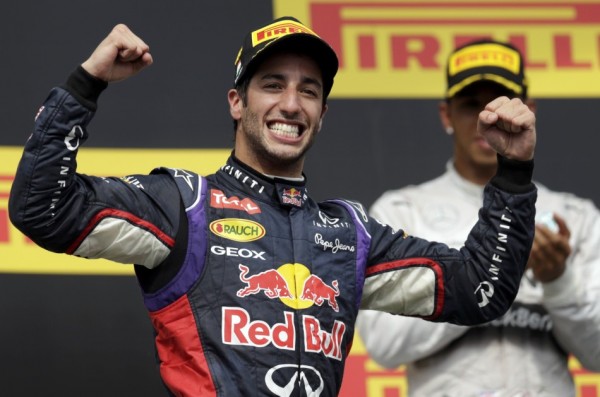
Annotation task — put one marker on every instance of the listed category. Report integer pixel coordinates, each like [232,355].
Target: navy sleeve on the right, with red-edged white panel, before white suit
[478,283]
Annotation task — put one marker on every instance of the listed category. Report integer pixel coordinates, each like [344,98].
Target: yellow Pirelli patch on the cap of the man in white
[484,55]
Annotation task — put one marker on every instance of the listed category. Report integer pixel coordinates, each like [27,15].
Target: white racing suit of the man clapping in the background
[525,353]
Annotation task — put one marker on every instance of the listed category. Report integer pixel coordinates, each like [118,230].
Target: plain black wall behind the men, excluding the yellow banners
[90,336]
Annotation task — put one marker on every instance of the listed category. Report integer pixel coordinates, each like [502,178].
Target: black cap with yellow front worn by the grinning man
[290,32]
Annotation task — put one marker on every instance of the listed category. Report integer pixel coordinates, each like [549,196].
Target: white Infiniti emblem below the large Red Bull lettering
[283,379]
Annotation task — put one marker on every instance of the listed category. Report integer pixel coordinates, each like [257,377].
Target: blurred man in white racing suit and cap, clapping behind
[557,310]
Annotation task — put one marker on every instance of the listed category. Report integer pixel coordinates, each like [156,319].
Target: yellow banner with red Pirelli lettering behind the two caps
[398,48]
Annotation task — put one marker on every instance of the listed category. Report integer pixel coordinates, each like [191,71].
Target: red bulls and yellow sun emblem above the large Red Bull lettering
[293,284]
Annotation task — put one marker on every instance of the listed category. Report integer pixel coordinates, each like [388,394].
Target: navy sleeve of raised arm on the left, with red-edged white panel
[131,220]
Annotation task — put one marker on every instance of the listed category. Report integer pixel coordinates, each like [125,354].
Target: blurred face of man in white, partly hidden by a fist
[474,158]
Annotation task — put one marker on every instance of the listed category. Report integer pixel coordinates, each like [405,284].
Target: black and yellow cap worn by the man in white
[488,60]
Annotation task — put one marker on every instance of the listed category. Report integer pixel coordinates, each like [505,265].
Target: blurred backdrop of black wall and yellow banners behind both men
[83,331]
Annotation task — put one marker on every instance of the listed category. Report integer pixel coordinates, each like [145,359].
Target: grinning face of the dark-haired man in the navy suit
[281,116]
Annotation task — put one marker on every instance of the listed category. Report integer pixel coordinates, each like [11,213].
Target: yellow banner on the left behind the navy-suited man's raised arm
[20,255]
